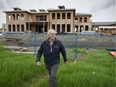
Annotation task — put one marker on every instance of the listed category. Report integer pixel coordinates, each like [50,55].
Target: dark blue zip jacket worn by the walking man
[54,56]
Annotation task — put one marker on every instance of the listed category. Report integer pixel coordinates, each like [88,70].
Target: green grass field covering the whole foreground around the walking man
[94,68]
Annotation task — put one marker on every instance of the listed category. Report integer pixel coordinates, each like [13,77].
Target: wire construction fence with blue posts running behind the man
[31,42]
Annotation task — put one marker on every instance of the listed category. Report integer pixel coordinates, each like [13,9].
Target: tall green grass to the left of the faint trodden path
[18,69]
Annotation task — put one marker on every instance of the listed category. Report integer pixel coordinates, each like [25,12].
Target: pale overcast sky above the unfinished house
[101,10]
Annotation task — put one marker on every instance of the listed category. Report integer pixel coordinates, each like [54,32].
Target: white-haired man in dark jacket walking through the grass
[51,49]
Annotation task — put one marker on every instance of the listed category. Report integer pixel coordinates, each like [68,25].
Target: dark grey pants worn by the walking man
[52,72]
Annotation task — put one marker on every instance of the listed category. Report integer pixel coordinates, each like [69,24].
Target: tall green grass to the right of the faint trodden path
[96,70]
